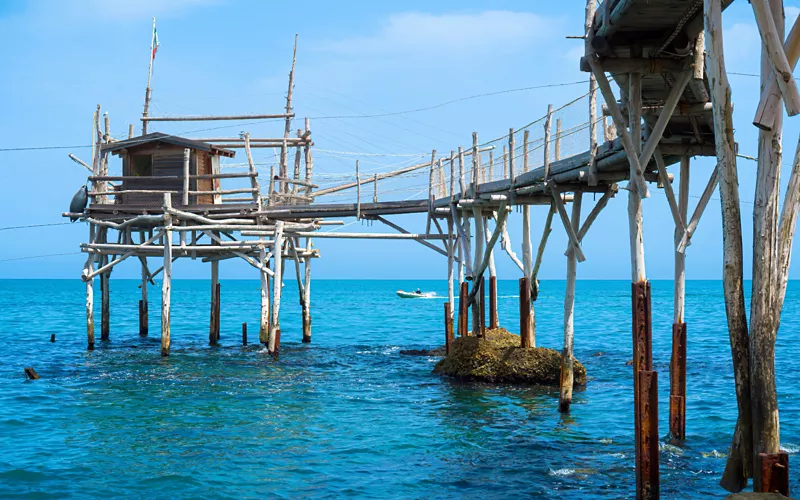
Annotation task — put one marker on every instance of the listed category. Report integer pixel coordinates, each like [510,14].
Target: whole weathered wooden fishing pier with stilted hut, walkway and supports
[666,109]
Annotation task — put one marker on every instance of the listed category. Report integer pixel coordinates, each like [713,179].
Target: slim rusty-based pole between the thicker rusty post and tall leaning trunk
[677,370]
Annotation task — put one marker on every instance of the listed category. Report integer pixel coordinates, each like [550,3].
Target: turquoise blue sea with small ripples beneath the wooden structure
[348,415]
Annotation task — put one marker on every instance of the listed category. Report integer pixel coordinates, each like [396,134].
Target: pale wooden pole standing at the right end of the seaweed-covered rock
[567,364]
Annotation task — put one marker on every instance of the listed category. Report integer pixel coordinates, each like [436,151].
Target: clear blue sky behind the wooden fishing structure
[354,58]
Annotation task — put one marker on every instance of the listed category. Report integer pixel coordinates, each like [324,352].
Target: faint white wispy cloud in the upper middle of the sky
[460,35]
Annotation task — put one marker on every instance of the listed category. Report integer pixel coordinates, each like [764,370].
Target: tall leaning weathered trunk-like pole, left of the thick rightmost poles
[740,460]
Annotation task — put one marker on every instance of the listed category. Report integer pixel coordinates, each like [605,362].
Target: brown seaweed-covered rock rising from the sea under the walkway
[498,358]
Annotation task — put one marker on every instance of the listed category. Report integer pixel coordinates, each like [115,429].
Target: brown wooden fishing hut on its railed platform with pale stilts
[171,199]
